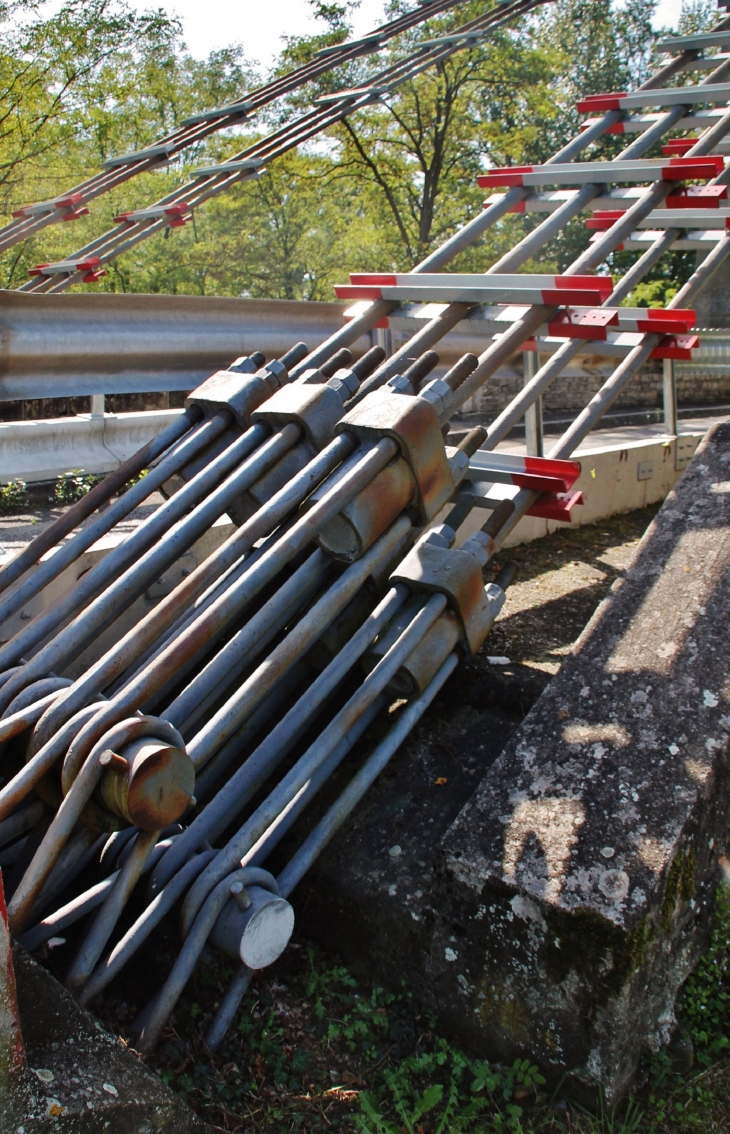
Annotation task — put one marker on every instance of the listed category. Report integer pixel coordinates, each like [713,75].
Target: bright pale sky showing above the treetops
[259,24]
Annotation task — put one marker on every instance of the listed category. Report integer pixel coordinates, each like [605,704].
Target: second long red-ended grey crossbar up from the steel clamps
[601,173]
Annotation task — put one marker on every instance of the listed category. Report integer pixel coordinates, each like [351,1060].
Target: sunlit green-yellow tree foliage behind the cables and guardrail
[379,191]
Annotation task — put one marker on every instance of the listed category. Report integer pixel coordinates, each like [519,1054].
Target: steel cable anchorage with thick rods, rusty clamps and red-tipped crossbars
[179,761]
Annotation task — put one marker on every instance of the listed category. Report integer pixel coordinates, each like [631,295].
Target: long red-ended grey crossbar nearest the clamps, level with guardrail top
[478,289]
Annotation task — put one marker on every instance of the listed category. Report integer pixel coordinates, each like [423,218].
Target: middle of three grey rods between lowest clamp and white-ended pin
[316,755]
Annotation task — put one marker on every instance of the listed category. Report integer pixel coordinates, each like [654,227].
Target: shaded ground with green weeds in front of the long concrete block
[313,1050]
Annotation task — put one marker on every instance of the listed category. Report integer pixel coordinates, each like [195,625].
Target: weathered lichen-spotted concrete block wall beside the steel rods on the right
[558,912]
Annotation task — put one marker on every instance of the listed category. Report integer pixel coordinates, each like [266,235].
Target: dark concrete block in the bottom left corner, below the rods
[80,1079]
